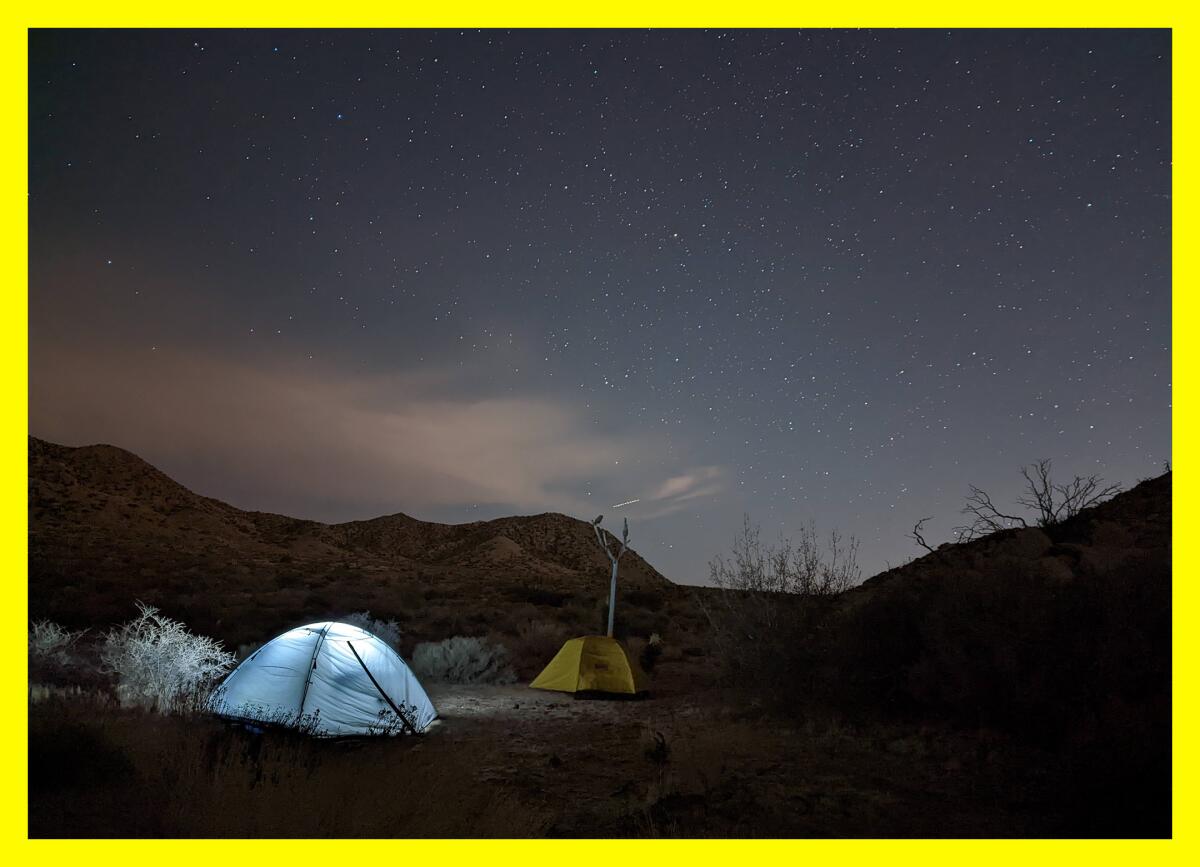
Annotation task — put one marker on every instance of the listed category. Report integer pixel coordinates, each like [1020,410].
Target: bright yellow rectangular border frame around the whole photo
[218,14]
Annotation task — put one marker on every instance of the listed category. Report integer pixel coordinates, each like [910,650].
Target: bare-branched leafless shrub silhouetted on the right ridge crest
[1051,503]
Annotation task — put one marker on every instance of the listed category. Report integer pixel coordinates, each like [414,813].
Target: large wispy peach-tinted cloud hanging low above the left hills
[334,444]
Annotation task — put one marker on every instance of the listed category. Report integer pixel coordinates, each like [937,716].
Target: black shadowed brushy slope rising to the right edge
[1058,638]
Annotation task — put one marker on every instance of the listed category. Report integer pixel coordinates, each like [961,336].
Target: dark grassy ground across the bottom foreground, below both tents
[508,762]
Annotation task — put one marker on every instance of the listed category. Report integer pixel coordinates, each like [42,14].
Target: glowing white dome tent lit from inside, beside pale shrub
[327,679]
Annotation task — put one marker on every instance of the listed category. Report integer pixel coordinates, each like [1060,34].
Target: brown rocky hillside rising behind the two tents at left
[107,529]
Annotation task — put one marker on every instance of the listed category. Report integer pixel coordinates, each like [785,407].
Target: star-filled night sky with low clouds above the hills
[812,277]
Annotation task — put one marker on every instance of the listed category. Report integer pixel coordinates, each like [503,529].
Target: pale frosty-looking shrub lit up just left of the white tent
[160,665]
